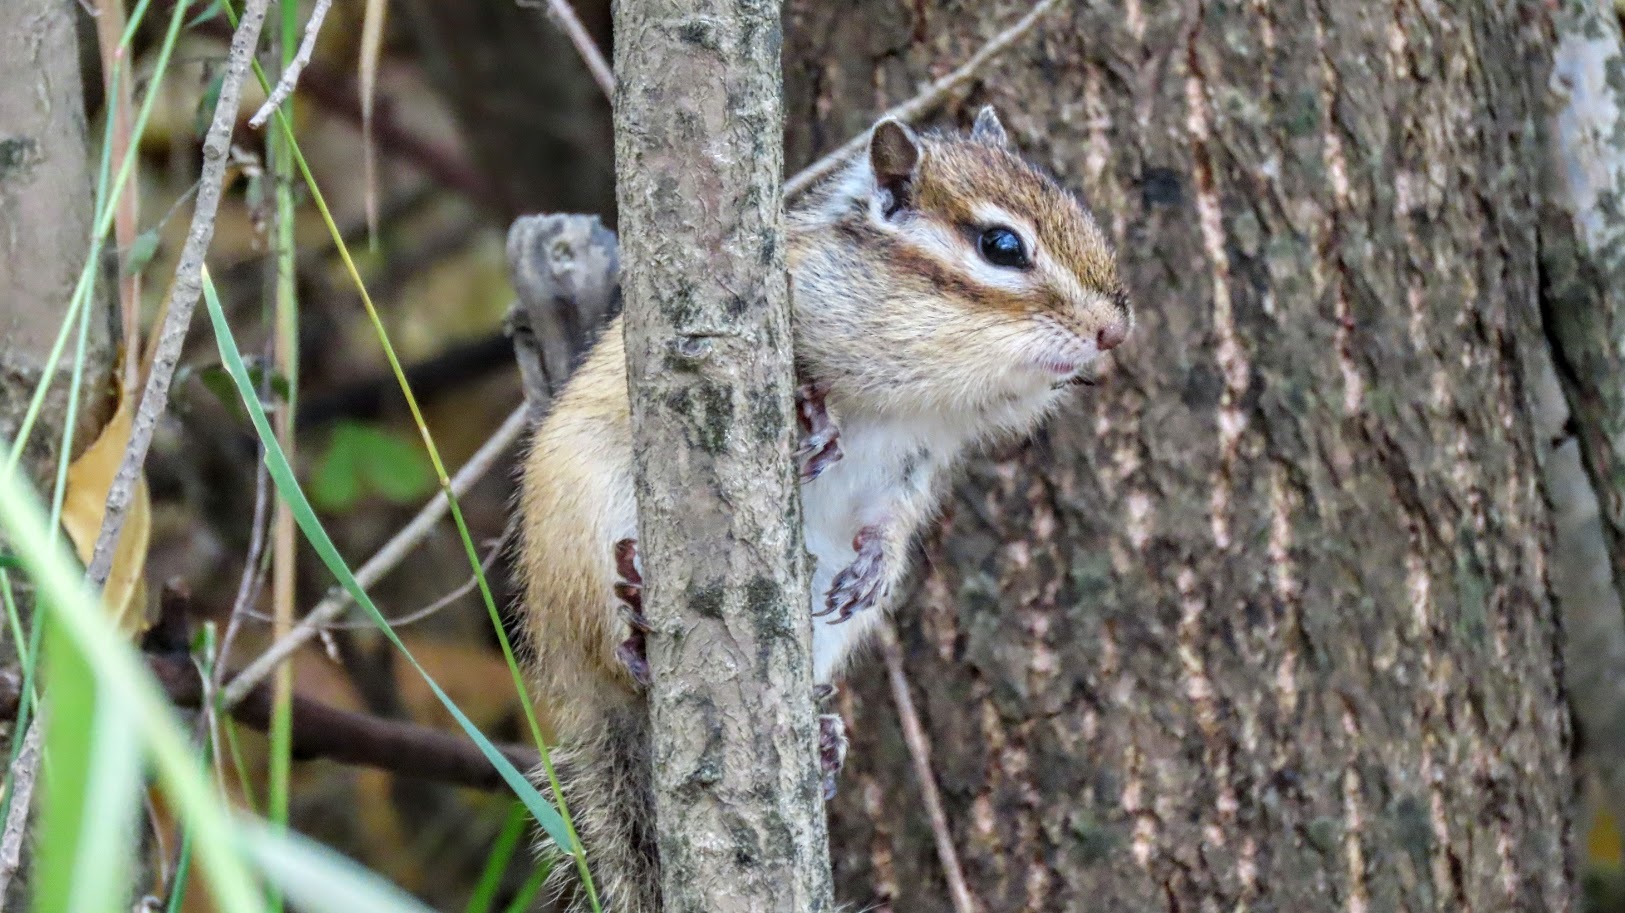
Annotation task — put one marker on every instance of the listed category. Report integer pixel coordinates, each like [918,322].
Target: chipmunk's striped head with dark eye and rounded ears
[976,277]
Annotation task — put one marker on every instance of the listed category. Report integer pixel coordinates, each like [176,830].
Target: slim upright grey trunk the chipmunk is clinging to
[700,171]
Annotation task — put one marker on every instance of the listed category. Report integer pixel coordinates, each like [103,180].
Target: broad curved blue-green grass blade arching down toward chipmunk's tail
[288,488]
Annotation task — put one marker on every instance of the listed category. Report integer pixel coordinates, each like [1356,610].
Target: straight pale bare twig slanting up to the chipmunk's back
[379,565]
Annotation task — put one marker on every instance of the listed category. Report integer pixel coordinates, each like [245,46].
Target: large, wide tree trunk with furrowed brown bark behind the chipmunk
[1262,623]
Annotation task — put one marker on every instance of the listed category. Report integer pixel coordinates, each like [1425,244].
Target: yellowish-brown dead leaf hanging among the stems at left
[84,504]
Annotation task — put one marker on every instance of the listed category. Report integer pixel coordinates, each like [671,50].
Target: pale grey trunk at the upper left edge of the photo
[45,217]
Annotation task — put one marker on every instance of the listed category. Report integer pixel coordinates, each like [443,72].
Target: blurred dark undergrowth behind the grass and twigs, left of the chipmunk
[472,128]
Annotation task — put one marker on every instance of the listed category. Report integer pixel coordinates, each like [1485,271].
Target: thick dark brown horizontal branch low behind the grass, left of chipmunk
[329,733]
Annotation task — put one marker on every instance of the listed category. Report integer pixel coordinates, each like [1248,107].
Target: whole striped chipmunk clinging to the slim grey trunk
[945,293]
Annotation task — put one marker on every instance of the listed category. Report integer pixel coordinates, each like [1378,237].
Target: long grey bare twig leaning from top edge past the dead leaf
[183,293]
